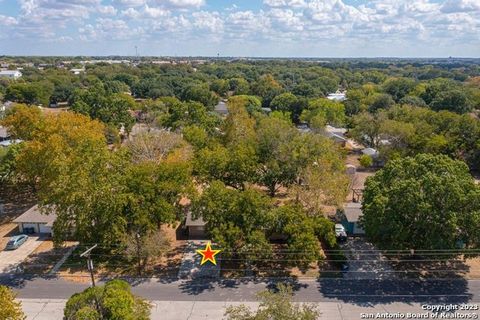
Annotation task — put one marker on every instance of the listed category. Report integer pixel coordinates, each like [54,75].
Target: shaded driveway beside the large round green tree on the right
[365,261]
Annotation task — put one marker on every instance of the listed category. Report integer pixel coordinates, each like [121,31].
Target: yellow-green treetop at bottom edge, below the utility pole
[110,302]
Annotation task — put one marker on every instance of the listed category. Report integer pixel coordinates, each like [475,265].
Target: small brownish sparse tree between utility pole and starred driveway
[142,247]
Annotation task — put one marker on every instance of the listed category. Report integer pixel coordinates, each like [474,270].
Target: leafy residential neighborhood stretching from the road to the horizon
[331,170]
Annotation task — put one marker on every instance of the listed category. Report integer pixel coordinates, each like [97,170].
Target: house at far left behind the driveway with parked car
[34,221]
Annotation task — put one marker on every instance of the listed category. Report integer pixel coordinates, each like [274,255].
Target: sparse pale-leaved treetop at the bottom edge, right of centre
[276,305]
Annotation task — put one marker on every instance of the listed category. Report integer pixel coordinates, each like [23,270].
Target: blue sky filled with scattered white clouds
[241,28]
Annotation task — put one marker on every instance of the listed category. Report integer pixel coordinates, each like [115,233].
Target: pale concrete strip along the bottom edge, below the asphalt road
[38,309]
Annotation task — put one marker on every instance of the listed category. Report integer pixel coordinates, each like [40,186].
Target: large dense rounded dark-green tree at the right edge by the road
[425,203]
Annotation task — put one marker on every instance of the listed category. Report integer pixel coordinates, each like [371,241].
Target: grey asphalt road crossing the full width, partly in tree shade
[324,290]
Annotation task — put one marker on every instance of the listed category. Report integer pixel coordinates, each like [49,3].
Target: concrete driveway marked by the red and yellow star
[190,267]
